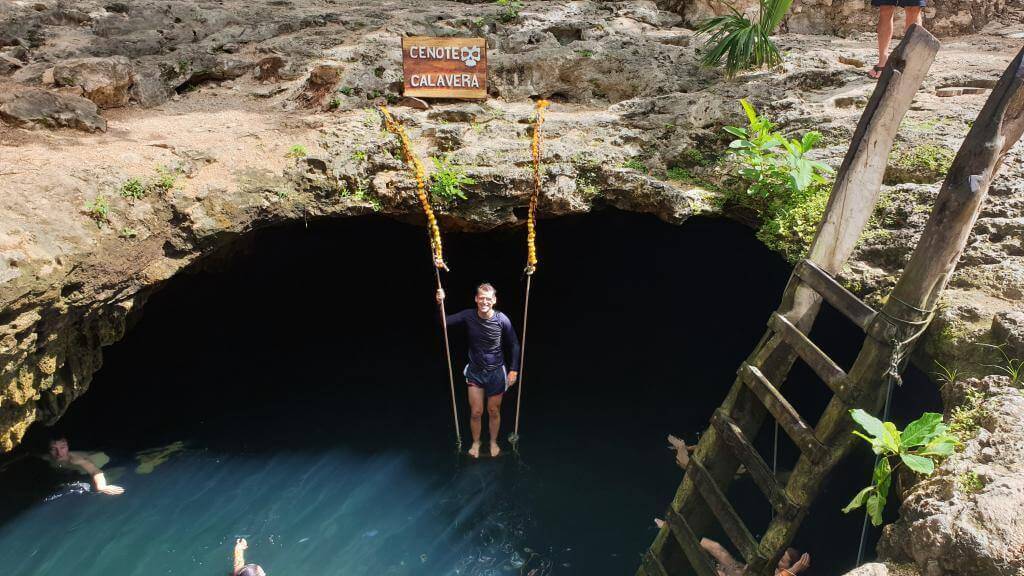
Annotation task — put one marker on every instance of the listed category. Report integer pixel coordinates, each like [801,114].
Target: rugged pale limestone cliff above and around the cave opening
[140,138]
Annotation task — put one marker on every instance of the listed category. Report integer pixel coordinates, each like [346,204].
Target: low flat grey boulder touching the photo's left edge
[35,106]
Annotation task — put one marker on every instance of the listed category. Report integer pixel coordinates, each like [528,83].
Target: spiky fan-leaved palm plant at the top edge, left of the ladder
[744,45]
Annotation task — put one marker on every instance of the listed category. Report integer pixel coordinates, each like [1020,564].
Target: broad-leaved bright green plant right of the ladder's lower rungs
[919,447]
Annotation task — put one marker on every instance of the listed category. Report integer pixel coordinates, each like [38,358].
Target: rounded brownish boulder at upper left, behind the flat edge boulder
[105,81]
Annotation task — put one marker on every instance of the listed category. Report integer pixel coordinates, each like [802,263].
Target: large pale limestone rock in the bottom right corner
[968,518]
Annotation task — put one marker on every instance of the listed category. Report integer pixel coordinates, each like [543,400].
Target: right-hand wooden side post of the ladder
[999,127]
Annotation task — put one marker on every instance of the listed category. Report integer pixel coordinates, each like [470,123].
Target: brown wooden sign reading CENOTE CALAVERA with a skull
[445,68]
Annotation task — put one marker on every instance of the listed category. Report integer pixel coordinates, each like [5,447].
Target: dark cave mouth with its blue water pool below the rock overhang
[305,372]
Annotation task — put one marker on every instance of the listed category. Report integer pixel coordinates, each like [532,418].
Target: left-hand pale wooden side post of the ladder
[851,203]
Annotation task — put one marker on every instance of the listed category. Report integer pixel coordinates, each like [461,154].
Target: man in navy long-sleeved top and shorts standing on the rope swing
[491,335]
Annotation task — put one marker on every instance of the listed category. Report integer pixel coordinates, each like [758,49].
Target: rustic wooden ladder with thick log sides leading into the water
[890,333]
